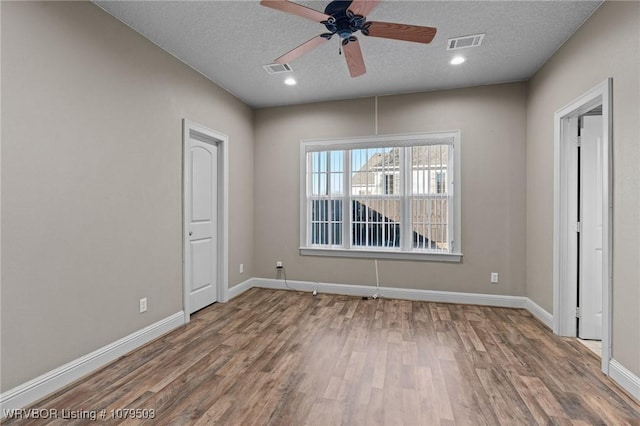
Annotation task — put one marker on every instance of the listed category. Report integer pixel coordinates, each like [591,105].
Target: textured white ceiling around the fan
[230,41]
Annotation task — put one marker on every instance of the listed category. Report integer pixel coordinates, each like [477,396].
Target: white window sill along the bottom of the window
[381,254]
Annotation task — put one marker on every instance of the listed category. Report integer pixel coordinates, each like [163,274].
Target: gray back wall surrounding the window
[492,120]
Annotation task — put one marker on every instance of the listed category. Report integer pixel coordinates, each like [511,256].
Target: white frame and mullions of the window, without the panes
[405,252]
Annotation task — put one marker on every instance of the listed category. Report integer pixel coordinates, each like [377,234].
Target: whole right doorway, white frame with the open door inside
[582,219]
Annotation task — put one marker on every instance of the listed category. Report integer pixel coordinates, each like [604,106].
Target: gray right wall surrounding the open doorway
[607,45]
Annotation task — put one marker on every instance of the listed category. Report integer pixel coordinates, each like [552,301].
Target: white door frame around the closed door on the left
[222,228]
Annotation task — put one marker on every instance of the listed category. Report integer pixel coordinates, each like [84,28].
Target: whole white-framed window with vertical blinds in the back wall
[386,197]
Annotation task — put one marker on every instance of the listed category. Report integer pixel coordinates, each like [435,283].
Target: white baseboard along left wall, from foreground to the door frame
[28,393]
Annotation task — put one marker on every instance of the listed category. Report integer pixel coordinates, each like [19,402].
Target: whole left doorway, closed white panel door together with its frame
[205,234]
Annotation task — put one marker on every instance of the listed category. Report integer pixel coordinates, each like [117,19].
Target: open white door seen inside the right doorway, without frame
[591,213]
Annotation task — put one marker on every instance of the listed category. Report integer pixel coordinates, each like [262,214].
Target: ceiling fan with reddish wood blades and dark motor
[345,18]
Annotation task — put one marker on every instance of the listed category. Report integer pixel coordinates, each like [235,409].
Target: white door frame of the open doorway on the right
[565,249]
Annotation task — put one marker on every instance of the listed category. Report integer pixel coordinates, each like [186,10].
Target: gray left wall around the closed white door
[91,182]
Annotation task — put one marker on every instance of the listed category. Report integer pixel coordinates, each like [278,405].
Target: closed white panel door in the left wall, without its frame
[201,202]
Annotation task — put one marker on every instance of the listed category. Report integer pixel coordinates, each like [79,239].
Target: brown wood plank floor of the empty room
[287,358]
